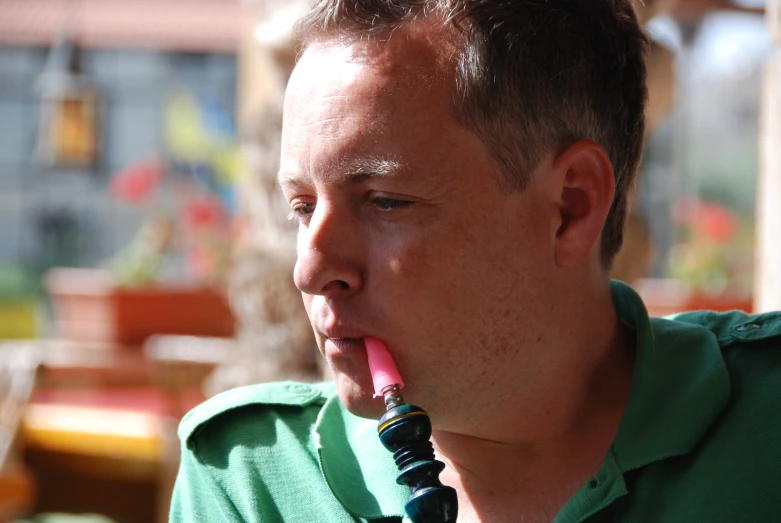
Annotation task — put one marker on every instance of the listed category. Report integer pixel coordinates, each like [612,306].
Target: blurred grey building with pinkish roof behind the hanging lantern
[137,54]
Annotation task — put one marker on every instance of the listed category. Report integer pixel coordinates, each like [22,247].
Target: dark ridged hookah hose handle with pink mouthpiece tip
[405,430]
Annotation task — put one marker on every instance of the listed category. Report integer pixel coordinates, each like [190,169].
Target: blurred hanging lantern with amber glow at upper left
[69,133]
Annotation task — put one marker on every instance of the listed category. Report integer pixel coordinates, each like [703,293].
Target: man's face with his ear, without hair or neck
[405,233]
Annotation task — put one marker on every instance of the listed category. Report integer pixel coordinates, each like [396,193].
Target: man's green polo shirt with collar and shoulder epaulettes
[699,441]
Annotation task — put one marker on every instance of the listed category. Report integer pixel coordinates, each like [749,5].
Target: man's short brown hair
[533,76]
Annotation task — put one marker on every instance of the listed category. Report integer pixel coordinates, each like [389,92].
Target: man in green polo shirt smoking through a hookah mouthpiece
[459,169]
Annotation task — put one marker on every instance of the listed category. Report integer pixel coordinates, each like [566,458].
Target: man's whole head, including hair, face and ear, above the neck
[400,151]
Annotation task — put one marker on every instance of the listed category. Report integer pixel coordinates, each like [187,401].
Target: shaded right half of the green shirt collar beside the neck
[679,387]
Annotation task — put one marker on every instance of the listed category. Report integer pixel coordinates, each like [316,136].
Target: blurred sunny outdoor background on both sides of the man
[145,257]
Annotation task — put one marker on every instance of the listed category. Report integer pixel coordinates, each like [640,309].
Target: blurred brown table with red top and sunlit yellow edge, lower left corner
[99,432]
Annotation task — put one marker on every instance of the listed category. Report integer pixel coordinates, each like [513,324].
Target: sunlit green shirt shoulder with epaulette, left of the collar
[252,453]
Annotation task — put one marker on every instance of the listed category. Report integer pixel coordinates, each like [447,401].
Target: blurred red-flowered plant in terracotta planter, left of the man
[170,278]
